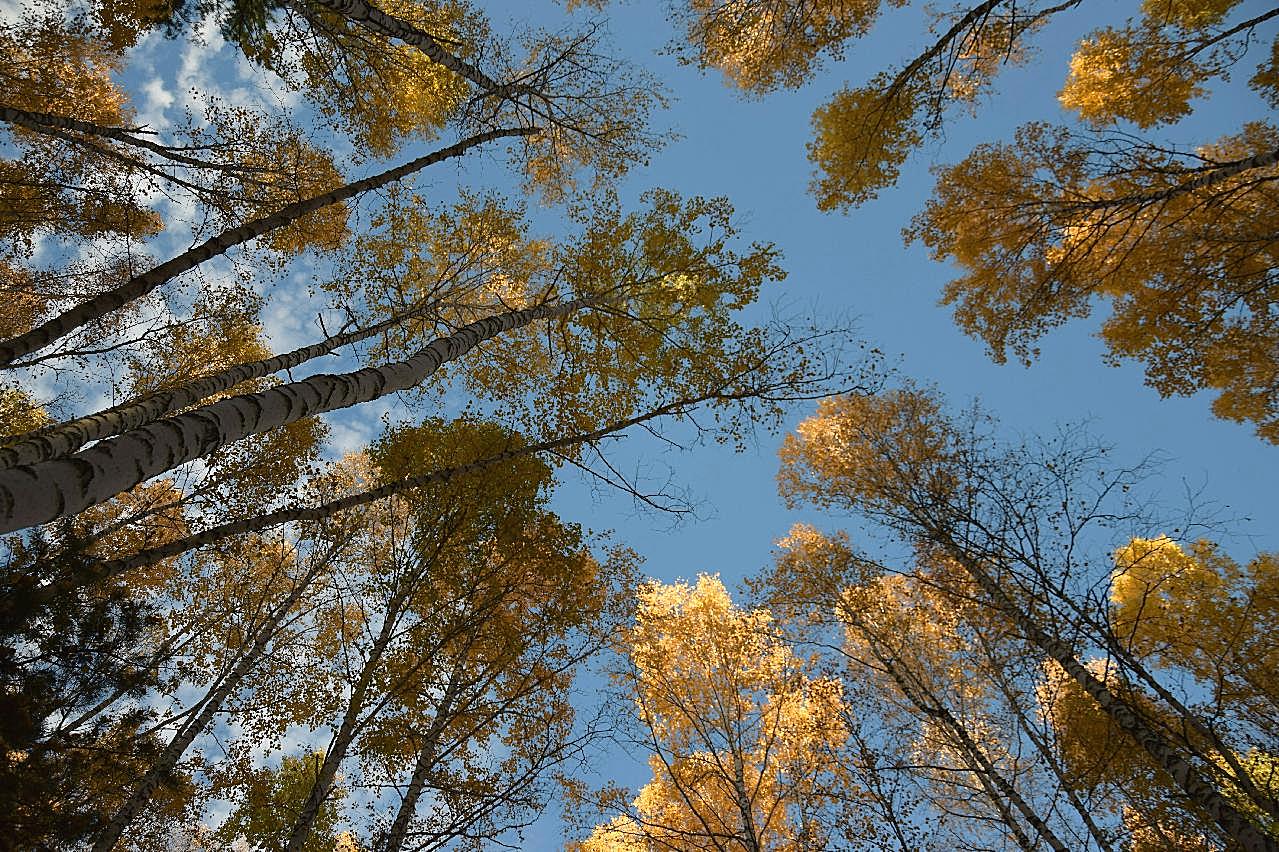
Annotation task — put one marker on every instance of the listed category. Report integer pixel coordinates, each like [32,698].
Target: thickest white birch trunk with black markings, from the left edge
[51,491]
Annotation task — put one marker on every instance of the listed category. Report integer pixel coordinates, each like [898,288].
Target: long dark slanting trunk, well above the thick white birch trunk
[140,286]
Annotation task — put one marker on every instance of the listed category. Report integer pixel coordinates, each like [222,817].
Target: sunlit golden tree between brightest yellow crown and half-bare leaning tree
[945,698]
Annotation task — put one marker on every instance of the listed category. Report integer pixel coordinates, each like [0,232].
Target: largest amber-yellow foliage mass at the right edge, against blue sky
[1044,226]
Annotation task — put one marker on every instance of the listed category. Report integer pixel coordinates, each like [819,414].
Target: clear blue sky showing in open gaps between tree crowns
[856,264]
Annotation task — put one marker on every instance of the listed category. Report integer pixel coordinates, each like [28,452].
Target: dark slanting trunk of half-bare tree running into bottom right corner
[1200,791]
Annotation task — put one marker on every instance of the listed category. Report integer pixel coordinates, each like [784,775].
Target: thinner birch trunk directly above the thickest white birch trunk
[67,438]
